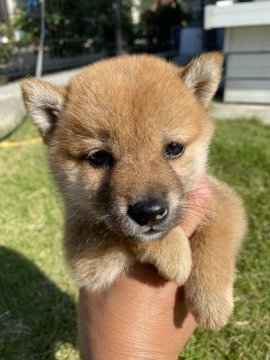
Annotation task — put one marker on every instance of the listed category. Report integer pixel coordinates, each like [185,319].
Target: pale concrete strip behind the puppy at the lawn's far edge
[11,106]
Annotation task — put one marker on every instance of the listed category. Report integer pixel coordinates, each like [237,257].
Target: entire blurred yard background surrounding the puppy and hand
[55,39]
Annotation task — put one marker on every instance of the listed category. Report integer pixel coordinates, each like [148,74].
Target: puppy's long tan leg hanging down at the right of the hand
[209,289]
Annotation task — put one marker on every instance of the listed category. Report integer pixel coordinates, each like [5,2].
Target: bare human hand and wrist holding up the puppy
[142,316]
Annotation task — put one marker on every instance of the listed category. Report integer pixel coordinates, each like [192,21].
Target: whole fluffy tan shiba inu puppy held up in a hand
[126,141]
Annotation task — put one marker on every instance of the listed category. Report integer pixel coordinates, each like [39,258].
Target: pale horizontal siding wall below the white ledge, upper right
[247,76]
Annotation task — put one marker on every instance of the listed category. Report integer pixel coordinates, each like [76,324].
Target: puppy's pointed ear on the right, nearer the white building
[202,76]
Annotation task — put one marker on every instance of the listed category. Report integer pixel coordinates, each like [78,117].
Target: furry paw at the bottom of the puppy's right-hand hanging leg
[212,311]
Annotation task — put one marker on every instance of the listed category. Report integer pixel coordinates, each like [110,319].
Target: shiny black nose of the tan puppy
[148,212]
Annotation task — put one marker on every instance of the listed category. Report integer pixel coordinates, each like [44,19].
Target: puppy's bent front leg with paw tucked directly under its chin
[171,255]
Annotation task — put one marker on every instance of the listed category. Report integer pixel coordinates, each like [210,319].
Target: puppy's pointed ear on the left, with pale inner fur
[44,103]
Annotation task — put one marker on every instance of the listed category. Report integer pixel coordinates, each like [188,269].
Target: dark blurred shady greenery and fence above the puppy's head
[79,32]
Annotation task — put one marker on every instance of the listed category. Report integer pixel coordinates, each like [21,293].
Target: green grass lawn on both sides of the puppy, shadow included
[37,297]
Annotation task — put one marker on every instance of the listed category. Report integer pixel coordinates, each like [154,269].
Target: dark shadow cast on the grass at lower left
[34,313]
